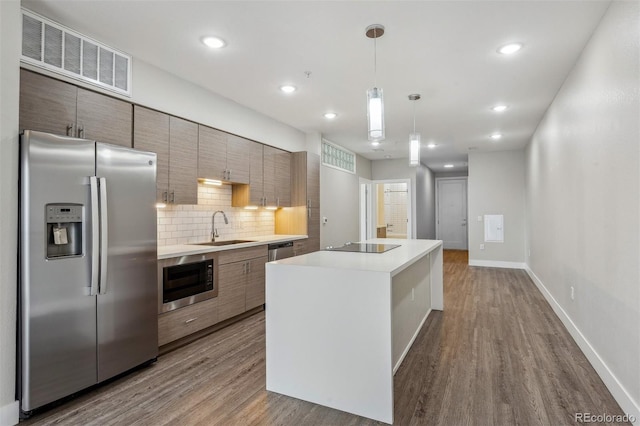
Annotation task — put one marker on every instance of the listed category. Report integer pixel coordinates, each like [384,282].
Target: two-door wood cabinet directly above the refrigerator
[53,106]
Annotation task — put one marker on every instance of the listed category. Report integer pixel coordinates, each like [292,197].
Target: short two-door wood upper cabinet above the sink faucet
[223,156]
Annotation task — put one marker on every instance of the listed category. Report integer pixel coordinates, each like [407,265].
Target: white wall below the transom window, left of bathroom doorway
[340,203]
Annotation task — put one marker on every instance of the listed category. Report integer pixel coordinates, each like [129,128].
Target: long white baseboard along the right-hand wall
[620,394]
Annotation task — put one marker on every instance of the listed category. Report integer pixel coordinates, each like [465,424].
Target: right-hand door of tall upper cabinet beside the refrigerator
[183,156]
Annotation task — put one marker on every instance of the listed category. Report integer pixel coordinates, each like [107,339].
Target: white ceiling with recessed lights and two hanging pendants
[443,50]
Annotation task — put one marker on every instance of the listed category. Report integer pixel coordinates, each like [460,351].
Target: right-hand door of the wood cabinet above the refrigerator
[103,118]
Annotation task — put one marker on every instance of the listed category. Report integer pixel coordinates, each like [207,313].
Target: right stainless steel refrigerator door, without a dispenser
[128,309]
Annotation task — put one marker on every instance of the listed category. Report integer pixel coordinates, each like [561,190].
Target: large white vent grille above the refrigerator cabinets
[52,46]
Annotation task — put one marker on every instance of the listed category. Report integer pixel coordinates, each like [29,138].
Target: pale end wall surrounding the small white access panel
[496,186]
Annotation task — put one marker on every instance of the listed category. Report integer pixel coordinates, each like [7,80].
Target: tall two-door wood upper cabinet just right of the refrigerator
[175,142]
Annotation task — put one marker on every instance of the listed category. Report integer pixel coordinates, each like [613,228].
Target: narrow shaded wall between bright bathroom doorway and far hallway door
[425,203]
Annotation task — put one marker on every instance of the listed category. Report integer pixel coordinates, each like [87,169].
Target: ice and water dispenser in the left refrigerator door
[64,230]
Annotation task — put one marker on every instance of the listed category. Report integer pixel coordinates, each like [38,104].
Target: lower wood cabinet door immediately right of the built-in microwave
[231,289]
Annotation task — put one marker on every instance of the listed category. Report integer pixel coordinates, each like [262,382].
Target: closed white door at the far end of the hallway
[452,213]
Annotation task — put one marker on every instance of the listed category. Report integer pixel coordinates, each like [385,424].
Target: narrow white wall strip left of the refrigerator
[9,98]
